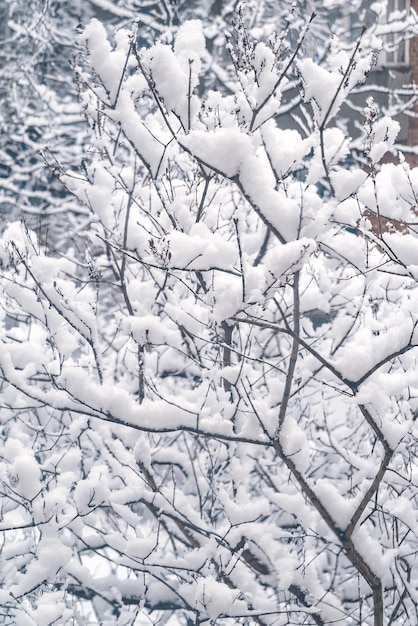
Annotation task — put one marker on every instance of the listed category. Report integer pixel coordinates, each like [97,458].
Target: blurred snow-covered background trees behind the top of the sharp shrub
[40,117]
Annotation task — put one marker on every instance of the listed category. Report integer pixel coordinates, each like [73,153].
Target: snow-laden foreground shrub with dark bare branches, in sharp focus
[208,386]
